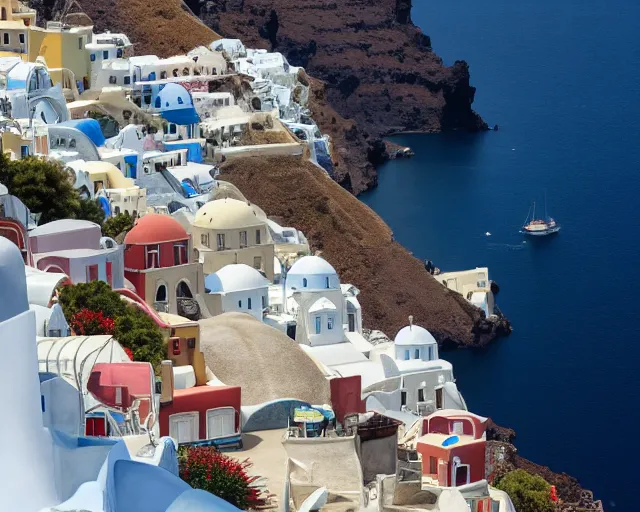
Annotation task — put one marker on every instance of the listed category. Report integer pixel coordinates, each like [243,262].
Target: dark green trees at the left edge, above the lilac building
[44,187]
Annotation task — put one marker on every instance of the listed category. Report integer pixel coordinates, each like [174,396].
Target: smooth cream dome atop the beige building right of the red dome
[224,214]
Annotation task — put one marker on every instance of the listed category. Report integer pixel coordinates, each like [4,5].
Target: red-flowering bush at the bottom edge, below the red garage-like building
[205,468]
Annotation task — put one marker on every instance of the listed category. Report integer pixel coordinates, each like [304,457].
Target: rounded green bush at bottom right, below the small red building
[529,493]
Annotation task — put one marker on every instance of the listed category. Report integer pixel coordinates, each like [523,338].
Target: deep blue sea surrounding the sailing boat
[561,78]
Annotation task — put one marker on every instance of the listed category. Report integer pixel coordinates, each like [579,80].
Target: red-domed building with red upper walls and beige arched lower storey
[158,262]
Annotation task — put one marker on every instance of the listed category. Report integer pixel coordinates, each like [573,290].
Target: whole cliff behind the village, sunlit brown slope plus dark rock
[375,72]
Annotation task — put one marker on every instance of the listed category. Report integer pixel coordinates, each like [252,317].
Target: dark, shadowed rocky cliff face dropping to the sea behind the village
[379,69]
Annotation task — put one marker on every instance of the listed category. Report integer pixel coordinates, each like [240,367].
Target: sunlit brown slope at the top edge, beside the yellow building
[162,28]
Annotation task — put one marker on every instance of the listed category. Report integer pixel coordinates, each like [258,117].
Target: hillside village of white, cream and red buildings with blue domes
[203,321]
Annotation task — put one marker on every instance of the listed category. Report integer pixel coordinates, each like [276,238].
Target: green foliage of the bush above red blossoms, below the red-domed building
[134,329]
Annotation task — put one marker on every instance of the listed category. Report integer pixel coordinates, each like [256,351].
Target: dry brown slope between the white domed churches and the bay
[360,246]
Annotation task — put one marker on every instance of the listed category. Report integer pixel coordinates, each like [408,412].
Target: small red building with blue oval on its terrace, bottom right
[453,448]
